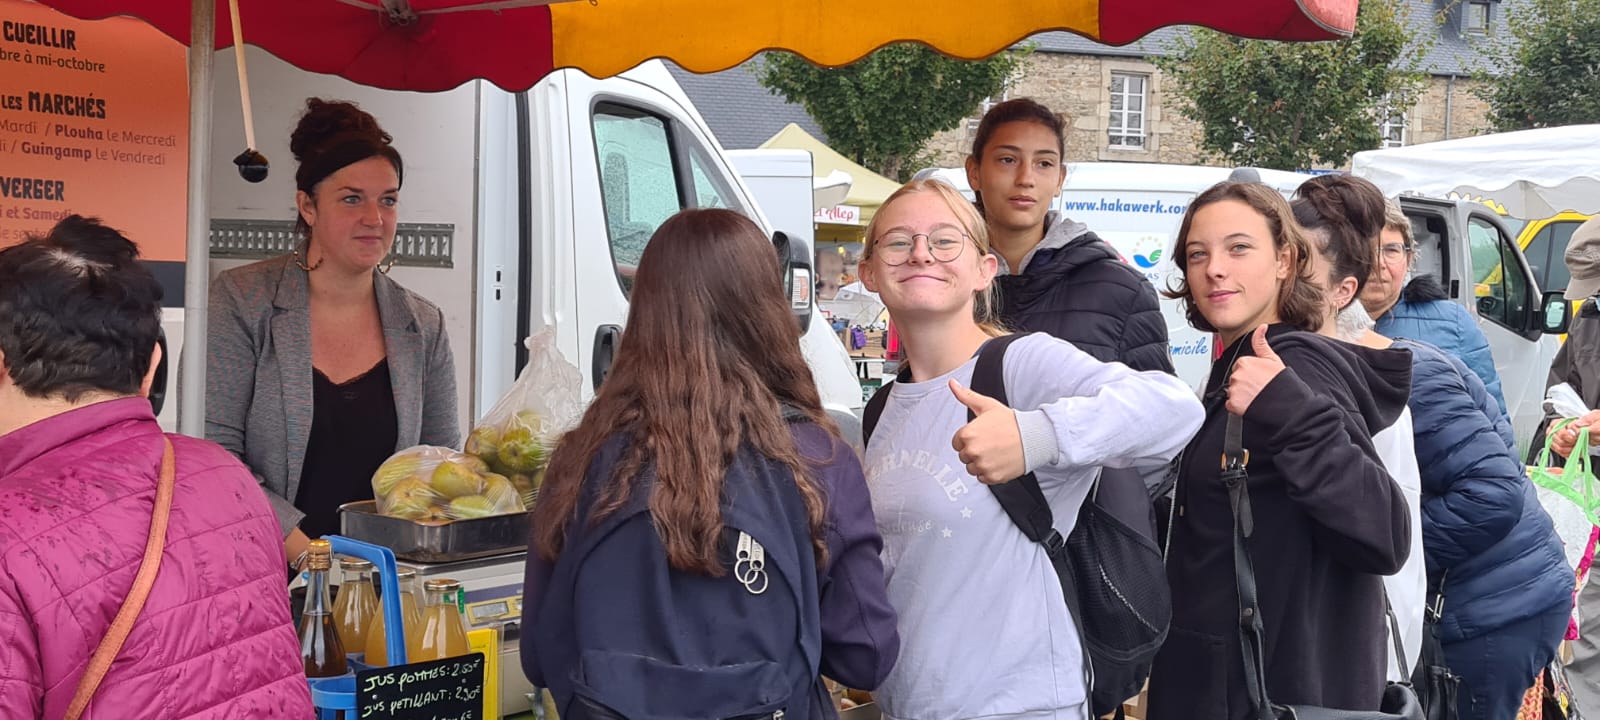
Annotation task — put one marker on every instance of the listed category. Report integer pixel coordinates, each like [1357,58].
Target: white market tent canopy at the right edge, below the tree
[1532,174]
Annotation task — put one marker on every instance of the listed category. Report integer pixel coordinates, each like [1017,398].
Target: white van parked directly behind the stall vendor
[519,210]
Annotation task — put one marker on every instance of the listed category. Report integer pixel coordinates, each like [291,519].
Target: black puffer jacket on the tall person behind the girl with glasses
[1084,294]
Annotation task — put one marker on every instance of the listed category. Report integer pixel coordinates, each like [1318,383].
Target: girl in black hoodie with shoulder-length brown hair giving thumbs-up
[1329,519]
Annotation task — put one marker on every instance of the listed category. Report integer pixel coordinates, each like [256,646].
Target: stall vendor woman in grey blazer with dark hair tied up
[319,366]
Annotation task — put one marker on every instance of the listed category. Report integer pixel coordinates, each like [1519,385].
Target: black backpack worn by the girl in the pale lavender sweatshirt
[1111,566]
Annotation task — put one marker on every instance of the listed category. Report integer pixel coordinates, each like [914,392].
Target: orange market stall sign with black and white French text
[94,121]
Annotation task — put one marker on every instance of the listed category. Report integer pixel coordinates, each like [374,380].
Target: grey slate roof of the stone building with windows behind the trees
[1454,52]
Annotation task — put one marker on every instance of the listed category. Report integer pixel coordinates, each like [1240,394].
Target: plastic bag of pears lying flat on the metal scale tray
[441,484]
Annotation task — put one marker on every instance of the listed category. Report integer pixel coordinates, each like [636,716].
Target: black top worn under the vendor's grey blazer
[353,431]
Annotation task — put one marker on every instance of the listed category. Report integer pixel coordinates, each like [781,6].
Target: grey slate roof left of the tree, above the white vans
[740,111]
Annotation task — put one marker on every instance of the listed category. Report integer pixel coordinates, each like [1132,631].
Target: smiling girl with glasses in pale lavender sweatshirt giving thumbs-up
[985,630]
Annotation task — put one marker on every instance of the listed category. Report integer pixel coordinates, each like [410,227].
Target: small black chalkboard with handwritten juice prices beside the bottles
[450,689]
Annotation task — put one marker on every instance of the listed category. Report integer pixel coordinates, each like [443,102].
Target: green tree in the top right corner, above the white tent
[1550,66]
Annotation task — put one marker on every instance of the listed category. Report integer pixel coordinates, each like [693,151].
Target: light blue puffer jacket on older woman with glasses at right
[1426,314]
